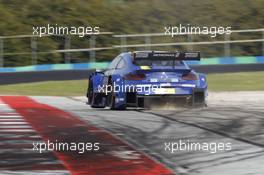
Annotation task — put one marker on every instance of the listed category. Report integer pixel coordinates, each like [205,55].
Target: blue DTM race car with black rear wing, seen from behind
[144,77]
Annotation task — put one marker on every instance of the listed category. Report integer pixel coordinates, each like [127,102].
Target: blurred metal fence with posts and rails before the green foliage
[123,44]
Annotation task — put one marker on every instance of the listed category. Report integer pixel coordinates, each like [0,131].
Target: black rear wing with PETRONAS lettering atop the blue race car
[167,56]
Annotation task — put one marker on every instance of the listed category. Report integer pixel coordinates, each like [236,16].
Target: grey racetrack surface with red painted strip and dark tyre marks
[132,141]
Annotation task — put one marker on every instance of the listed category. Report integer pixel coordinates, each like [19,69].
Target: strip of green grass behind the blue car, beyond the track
[244,81]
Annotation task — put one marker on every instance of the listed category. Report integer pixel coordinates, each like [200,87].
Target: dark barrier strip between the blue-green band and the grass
[79,74]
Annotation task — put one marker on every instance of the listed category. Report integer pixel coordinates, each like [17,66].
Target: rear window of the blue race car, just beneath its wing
[159,63]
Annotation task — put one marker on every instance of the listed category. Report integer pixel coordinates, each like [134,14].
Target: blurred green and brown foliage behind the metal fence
[123,16]
